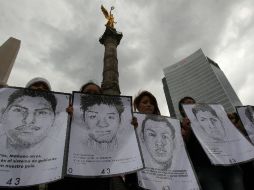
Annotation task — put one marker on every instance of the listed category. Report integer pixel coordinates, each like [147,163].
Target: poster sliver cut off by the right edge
[246,114]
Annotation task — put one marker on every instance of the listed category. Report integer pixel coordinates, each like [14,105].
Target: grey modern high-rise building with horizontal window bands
[201,78]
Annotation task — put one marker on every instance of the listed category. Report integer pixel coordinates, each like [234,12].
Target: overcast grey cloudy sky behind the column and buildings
[59,41]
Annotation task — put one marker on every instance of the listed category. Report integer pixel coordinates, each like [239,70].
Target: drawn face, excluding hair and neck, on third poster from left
[159,141]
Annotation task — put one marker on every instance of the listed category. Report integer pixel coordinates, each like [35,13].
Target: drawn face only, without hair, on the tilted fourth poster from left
[210,124]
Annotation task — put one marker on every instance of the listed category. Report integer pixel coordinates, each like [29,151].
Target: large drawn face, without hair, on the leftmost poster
[27,120]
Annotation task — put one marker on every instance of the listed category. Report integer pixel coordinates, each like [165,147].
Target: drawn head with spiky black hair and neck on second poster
[102,118]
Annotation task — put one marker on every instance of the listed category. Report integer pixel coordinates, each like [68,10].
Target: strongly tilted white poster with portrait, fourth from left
[222,142]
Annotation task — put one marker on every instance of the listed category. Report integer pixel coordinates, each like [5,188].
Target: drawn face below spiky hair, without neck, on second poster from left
[102,122]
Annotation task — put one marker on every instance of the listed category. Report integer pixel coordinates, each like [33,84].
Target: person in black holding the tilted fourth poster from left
[210,177]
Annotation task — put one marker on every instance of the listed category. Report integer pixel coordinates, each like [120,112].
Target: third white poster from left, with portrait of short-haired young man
[166,163]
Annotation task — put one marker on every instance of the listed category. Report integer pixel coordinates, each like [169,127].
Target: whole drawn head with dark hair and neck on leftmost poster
[27,119]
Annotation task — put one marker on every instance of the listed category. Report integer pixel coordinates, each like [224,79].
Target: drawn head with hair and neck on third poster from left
[158,136]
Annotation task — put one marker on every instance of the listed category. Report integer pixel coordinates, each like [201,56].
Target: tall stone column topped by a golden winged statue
[110,39]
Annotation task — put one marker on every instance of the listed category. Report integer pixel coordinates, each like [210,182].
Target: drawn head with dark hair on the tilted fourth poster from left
[210,124]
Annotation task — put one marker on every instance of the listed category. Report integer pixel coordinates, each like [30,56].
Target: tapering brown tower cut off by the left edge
[8,54]
